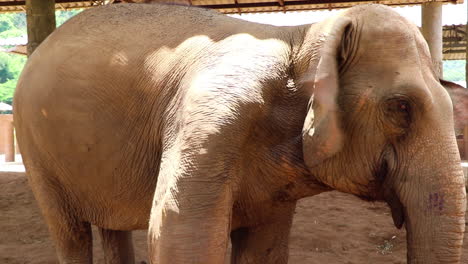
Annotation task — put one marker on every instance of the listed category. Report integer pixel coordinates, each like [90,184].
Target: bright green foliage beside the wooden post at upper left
[14,25]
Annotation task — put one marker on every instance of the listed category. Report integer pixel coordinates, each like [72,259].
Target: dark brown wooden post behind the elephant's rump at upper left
[40,17]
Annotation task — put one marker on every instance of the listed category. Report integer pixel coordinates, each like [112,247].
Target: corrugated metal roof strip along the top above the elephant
[231,6]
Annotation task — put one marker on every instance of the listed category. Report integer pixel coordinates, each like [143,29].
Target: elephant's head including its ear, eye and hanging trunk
[380,126]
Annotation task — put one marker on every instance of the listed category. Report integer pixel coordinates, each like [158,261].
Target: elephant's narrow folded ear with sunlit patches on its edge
[322,134]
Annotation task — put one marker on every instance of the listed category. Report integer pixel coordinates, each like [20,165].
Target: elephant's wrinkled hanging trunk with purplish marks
[434,202]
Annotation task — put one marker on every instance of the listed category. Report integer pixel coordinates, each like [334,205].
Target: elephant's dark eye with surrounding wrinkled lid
[398,115]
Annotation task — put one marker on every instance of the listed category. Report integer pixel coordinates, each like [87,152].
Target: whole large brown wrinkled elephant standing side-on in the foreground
[202,127]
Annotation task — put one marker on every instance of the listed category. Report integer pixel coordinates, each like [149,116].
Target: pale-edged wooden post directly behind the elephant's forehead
[432,32]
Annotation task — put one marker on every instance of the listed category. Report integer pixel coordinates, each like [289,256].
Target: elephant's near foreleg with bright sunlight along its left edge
[191,214]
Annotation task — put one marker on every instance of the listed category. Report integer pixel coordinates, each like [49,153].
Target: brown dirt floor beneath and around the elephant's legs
[328,228]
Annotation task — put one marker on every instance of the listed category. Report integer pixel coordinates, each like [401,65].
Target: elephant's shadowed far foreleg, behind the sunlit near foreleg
[266,243]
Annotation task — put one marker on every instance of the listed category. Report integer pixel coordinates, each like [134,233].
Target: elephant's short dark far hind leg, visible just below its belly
[117,245]
